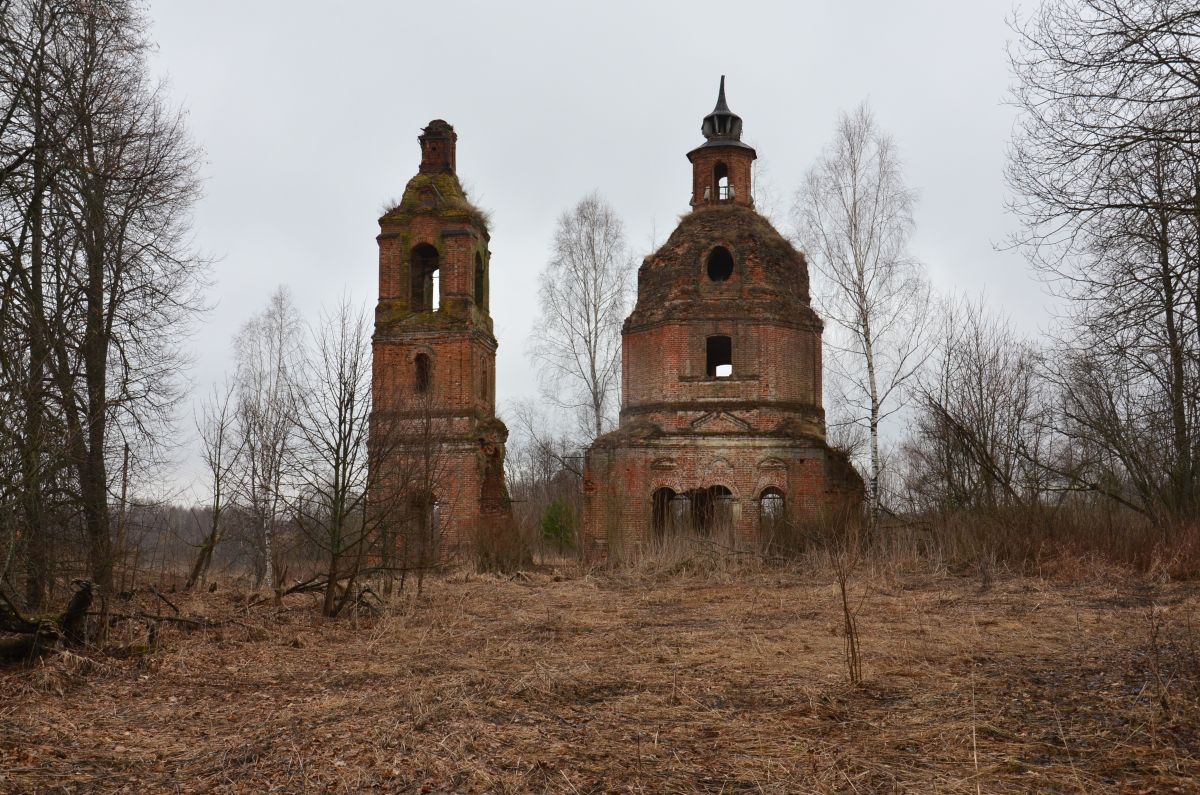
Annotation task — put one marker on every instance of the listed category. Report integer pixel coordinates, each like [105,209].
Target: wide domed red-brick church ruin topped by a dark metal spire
[722,425]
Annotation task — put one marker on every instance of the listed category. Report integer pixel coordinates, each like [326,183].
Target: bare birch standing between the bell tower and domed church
[585,292]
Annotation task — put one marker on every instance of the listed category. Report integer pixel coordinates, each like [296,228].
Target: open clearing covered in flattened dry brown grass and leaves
[571,683]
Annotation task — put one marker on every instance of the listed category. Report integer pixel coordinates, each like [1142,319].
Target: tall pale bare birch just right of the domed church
[854,218]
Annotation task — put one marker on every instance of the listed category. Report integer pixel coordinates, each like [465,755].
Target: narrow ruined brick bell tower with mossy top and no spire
[437,446]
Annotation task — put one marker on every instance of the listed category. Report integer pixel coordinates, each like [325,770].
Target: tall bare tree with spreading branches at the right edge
[1106,165]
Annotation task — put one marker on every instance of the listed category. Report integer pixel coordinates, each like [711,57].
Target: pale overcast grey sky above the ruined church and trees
[309,113]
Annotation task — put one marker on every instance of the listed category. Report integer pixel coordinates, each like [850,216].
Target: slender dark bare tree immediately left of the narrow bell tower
[332,464]
